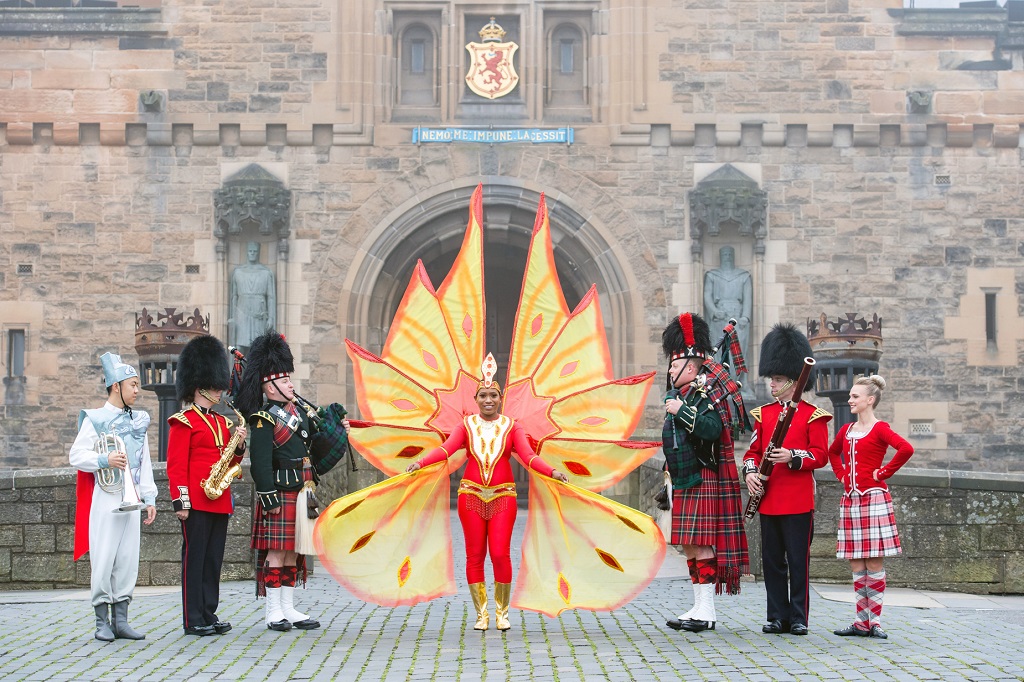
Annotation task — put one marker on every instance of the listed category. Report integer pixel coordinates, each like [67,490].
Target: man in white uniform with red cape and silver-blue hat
[113,538]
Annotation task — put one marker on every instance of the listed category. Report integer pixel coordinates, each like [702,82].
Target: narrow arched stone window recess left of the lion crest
[416,58]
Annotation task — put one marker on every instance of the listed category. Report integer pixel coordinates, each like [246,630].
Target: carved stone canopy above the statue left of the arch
[253,196]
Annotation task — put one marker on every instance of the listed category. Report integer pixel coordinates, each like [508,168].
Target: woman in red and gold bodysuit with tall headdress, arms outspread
[487,493]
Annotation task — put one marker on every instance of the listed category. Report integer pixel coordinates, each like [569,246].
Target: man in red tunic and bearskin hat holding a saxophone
[195,442]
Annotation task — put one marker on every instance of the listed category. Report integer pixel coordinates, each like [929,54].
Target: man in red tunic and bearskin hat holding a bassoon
[788,507]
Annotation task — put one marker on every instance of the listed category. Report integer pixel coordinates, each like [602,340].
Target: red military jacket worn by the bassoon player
[791,487]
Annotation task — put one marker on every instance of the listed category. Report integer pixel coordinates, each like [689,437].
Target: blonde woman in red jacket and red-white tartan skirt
[867,522]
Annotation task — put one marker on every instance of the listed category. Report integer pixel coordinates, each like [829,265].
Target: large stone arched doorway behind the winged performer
[432,230]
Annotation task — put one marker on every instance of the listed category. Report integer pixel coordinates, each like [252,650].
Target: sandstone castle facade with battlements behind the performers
[865,159]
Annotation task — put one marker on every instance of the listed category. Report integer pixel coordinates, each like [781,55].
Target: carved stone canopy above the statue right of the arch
[729,196]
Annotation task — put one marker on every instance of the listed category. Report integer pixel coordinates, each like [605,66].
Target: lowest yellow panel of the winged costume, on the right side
[583,551]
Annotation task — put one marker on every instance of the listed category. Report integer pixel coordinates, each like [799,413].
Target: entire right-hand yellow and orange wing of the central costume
[580,550]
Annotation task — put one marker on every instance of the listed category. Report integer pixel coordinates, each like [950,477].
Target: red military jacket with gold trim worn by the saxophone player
[194,446]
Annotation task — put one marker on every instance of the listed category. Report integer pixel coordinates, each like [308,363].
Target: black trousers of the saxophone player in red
[203,538]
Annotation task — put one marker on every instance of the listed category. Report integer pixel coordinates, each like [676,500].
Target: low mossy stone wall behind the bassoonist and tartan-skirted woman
[961,532]
